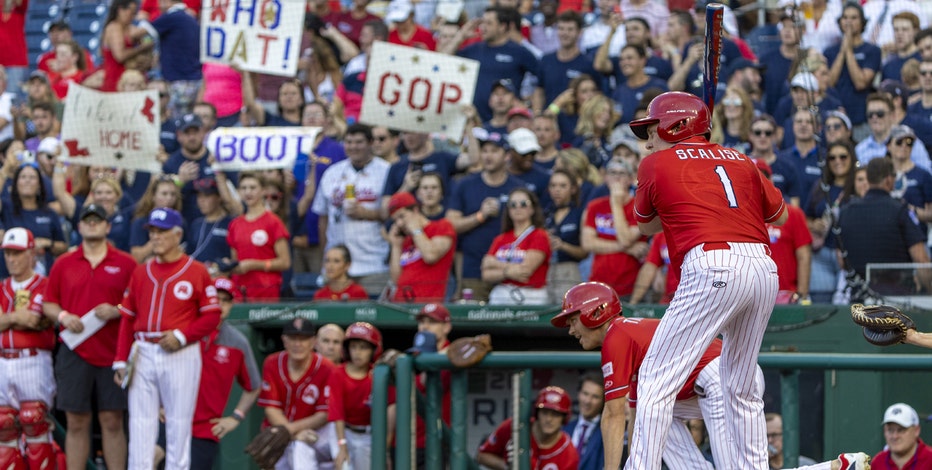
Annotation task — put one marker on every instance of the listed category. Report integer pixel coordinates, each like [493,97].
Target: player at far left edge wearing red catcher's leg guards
[27,383]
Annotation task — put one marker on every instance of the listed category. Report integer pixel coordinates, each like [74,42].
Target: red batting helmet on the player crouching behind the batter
[595,302]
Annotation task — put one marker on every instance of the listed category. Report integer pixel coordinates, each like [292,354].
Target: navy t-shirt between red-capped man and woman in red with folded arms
[467,198]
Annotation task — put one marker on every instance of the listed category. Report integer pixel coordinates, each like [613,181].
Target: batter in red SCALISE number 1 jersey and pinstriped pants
[712,204]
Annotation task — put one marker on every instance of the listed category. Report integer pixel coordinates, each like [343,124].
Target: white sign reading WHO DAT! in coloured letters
[259,35]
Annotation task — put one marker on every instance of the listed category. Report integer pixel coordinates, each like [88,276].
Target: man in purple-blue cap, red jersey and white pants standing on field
[169,306]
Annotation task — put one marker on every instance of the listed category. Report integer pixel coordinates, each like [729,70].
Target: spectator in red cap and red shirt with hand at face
[422,252]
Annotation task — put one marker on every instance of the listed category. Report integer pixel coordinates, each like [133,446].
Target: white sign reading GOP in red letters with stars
[416,90]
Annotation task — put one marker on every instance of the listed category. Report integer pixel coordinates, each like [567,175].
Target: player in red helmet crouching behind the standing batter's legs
[593,314]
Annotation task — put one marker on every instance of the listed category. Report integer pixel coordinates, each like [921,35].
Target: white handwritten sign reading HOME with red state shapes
[111,129]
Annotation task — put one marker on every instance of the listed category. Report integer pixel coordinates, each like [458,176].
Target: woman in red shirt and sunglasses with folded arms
[519,258]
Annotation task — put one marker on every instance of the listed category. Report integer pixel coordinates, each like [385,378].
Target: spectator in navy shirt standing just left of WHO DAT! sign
[179,54]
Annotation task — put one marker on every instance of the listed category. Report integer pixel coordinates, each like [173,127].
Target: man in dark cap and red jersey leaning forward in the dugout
[295,395]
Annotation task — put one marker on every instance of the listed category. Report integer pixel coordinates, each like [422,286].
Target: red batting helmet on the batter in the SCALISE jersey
[678,116]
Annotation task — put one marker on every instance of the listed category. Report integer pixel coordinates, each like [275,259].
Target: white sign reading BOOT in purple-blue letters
[259,148]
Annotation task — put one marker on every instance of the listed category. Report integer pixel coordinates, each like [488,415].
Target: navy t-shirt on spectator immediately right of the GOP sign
[508,61]
